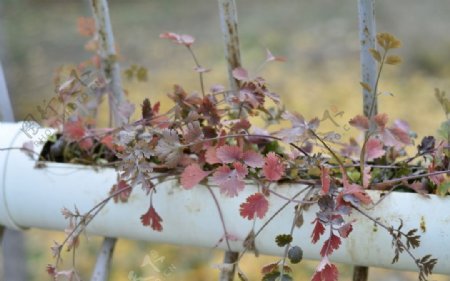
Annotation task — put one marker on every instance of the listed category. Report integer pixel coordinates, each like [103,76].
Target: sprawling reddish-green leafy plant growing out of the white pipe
[209,138]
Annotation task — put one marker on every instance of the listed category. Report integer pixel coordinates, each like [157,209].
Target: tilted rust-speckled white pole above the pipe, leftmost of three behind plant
[108,55]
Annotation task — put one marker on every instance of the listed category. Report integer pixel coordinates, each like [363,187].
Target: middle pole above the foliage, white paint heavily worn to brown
[228,23]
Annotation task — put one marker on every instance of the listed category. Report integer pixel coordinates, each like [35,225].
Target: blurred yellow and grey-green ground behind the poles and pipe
[318,38]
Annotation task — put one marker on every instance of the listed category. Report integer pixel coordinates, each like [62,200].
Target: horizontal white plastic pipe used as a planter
[34,197]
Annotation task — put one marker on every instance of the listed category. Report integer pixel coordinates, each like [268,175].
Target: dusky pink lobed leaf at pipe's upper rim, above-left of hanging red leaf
[230,181]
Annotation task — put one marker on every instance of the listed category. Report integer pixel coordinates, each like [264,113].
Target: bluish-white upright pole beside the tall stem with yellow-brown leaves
[367,33]
